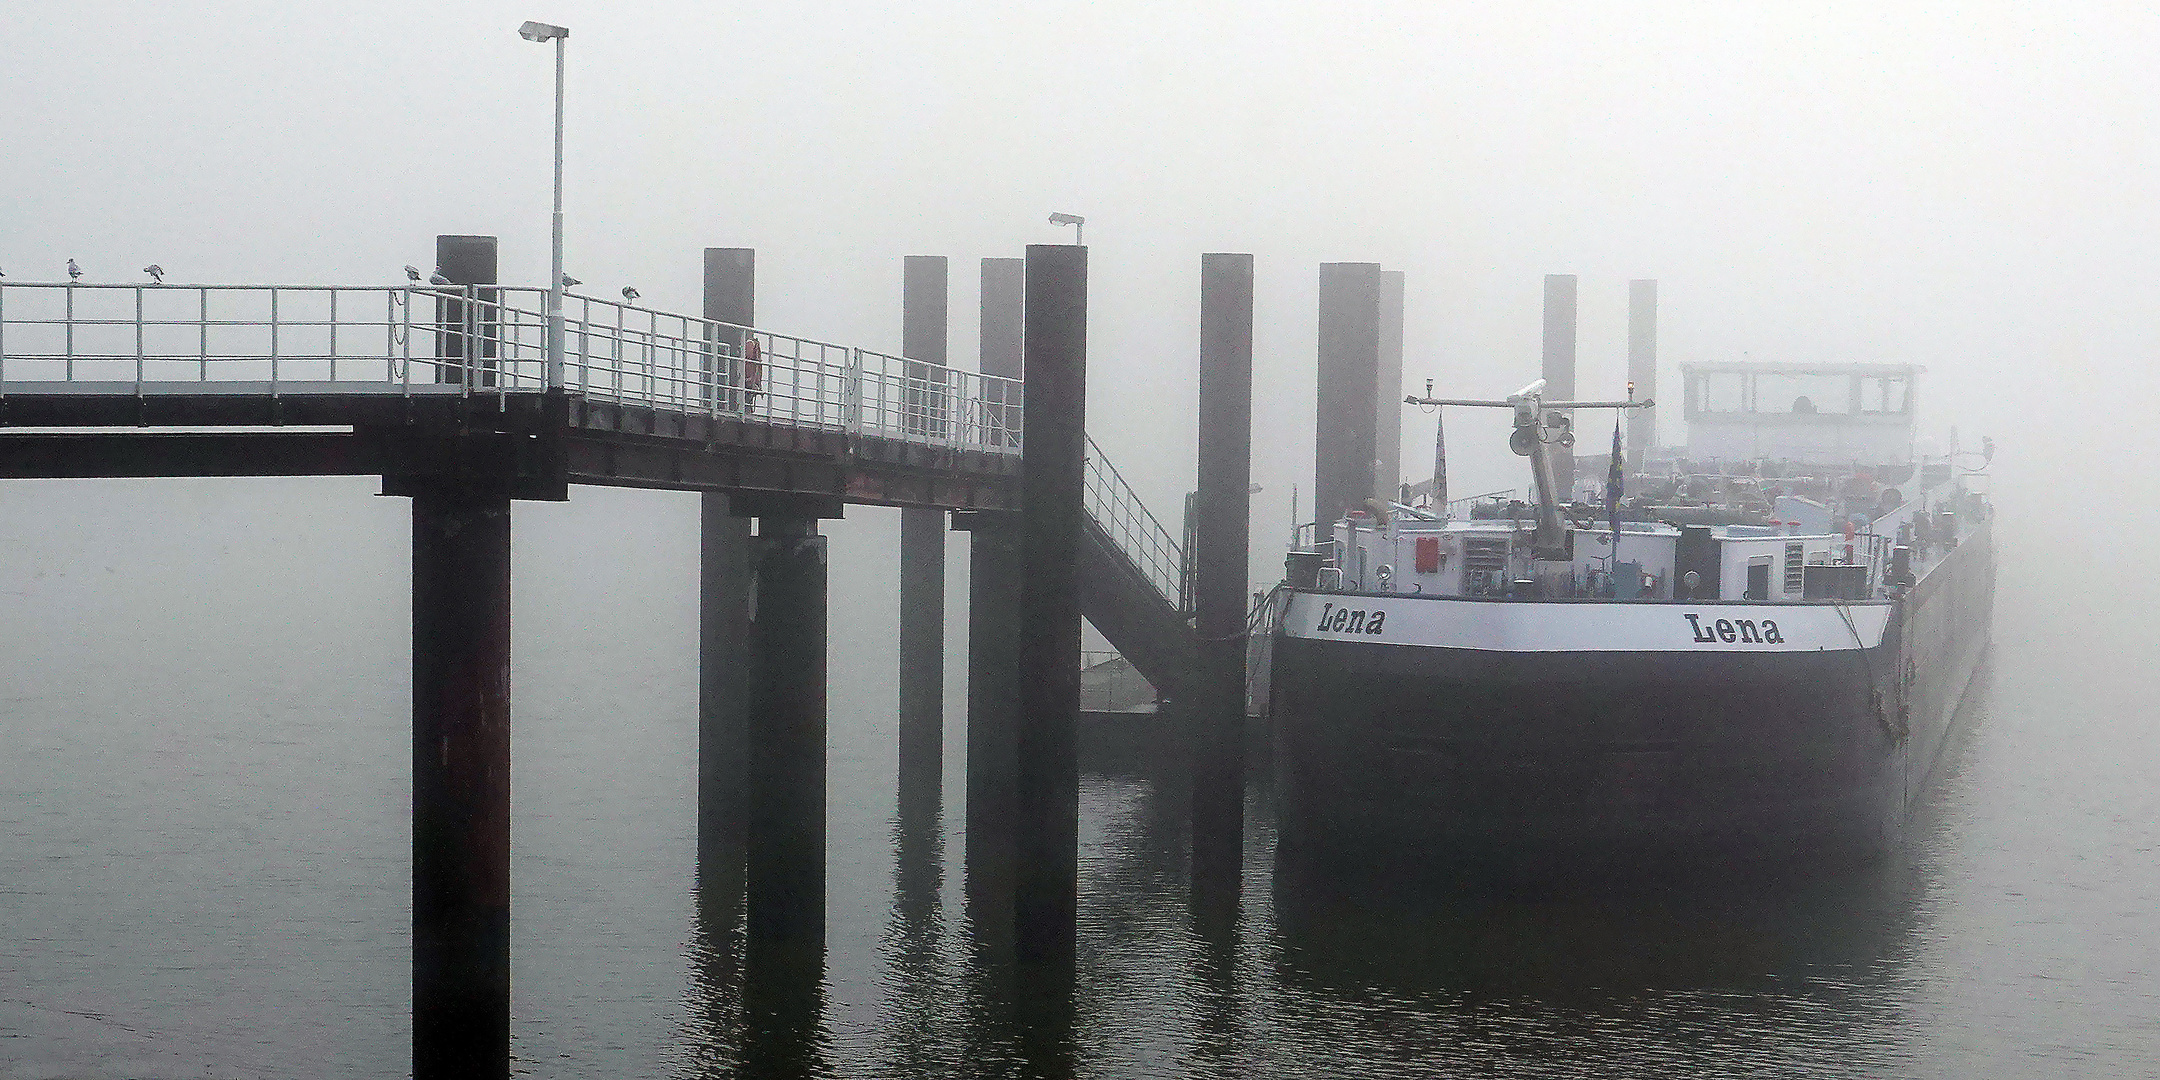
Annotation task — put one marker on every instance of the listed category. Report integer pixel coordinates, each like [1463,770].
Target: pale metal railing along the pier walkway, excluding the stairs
[481,340]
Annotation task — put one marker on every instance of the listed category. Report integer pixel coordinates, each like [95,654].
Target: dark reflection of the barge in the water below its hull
[1783,969]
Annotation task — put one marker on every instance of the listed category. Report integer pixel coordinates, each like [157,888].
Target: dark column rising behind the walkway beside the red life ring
[725,643]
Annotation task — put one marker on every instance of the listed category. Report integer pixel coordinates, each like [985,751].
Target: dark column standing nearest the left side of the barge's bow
[1221,565]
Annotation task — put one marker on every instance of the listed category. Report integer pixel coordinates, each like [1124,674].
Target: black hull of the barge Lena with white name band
[1429,759]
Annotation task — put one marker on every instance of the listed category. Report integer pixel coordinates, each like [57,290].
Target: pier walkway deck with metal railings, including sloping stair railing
[433,383]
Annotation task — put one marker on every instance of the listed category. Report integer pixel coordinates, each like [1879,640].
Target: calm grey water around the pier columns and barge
[204,848]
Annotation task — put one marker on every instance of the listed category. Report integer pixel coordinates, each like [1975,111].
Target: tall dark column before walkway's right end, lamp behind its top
[1051,528]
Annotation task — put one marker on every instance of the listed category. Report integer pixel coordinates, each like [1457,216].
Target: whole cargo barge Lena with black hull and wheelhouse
[1755,658]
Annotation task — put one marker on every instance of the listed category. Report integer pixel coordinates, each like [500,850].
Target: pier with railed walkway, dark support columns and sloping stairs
[444,392]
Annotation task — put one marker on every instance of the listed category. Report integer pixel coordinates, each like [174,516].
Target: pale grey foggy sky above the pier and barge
[1962,187]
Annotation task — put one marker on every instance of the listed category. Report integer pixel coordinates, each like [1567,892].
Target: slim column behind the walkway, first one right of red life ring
[923,539]
